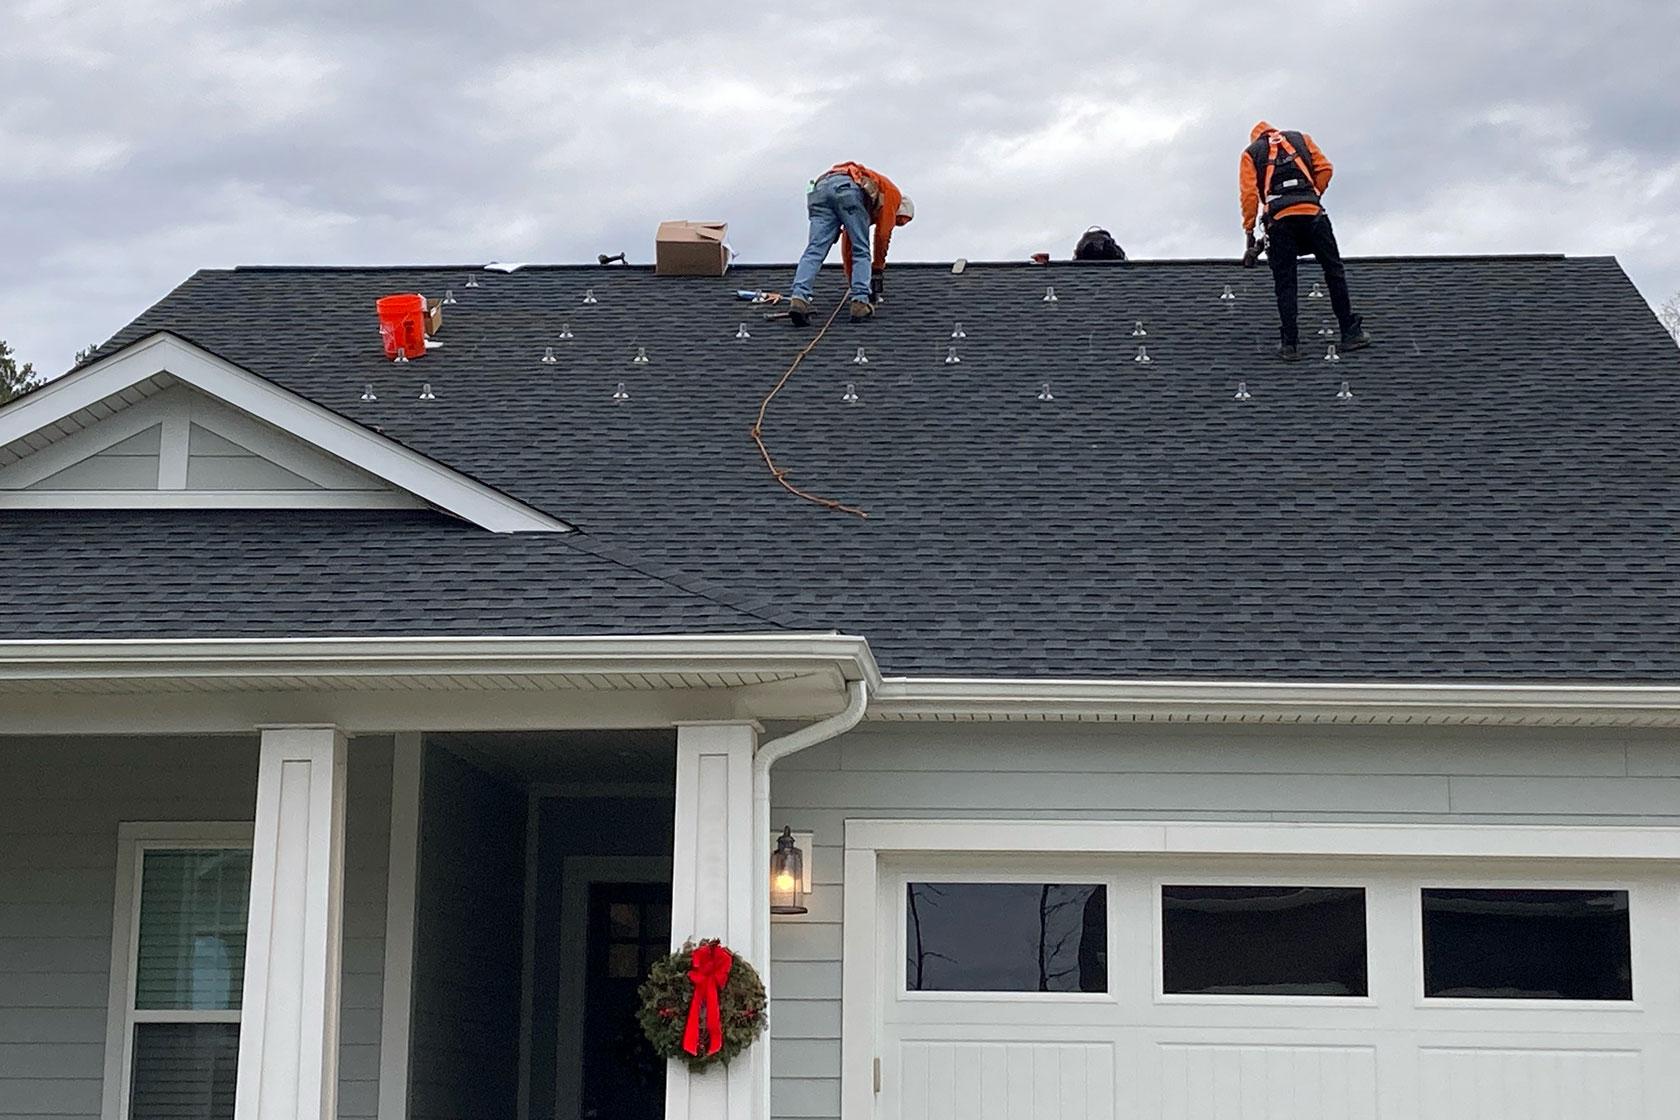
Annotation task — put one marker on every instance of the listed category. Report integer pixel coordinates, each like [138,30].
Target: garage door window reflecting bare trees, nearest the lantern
[1007,938]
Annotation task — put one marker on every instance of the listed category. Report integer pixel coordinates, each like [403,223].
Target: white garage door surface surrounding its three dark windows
[1137,1054]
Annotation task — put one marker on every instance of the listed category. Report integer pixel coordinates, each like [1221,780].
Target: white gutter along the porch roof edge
[359,659]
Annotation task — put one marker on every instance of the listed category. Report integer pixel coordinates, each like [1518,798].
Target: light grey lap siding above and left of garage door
[1165,772]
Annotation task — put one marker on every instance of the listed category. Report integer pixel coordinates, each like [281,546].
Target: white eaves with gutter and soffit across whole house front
[559,683]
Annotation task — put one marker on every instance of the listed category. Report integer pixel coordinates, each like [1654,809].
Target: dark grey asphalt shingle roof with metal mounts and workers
[1498,501]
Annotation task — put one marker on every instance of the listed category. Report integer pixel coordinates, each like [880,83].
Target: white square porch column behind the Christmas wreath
[711,896]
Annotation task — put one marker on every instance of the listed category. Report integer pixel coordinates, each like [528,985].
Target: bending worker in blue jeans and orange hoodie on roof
[844,202]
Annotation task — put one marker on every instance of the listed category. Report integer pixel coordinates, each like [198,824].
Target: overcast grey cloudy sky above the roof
[150,139]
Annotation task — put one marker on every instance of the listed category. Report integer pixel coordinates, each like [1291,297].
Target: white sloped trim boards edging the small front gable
[322,427]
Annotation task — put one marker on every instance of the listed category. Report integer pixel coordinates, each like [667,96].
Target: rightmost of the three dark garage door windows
[1526,945]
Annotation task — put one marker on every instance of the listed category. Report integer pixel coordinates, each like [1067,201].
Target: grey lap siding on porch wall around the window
[61,802]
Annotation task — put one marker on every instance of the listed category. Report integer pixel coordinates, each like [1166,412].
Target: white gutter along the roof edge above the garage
[1236,701]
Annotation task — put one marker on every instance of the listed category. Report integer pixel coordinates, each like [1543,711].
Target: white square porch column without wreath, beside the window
[288,1037]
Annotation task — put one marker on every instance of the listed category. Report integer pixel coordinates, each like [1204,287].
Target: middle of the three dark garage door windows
[1264,941]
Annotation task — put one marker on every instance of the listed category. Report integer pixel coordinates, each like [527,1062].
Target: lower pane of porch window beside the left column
[184,1070]
